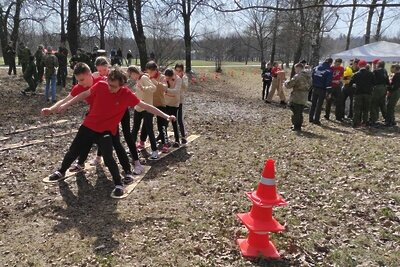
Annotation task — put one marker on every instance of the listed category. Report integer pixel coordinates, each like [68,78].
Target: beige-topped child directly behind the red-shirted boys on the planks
[145,89]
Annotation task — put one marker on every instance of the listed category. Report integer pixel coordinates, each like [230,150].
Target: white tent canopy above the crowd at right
[382,50]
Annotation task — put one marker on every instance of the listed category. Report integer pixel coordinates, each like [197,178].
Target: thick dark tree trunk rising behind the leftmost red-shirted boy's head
[73,26]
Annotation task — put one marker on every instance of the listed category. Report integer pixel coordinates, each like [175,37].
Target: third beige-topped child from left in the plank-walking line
[172,99]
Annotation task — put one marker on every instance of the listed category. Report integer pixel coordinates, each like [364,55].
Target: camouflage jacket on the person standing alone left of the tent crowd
[300,83]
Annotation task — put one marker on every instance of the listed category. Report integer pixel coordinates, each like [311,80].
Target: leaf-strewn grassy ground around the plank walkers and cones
[341,185]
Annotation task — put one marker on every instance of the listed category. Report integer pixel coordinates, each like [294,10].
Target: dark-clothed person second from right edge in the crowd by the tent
[378,98]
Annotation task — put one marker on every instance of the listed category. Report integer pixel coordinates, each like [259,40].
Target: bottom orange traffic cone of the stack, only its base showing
[257,244]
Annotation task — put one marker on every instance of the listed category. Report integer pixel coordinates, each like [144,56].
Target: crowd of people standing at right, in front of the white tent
[367,89]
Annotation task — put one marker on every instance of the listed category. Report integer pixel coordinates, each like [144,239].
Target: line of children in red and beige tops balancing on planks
[109,100]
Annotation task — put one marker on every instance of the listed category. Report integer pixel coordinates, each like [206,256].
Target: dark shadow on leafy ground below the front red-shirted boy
[91,212]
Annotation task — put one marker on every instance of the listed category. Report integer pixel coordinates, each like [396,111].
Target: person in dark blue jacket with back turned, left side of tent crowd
[322,82]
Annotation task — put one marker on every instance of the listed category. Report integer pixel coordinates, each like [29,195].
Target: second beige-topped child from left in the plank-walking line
[159,102]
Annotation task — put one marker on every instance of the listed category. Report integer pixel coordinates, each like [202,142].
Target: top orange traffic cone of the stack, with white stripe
[266,191]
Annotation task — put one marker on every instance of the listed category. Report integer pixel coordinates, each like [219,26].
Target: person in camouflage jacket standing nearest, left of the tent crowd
[300,83]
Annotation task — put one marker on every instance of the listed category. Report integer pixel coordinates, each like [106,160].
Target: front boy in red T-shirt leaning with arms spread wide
[109,101]
